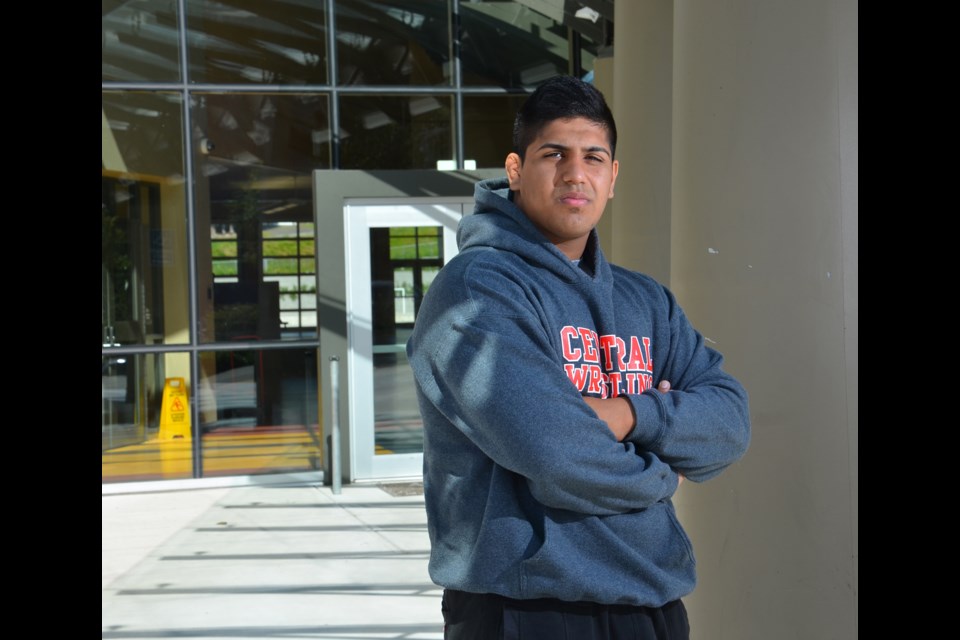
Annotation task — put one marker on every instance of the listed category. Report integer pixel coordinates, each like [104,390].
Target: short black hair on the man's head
[561,98]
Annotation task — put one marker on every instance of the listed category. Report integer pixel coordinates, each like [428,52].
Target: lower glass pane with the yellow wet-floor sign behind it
[145,432]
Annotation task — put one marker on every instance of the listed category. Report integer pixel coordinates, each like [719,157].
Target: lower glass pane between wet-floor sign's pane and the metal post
[258,412]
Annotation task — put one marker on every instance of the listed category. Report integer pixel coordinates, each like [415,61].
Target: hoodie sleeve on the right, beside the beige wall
[702,425]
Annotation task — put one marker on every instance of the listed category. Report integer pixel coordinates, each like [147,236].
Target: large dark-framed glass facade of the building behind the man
[214,114]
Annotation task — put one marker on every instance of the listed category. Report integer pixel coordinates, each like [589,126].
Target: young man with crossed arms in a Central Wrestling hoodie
[564,399]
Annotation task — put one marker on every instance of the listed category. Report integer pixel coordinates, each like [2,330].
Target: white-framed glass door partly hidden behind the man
[394,251]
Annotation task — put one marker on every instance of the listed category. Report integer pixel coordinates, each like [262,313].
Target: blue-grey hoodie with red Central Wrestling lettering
[528,493]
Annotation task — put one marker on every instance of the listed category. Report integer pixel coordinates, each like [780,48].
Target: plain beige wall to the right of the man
[760,232]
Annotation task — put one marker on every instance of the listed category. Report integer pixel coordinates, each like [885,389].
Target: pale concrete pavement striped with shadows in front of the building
[270,561]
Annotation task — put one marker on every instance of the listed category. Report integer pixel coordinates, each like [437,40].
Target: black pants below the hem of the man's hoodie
[482,616]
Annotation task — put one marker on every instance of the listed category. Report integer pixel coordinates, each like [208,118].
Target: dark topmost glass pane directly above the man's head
[506,44]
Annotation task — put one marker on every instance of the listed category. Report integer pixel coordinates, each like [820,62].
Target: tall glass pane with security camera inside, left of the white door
[255,154]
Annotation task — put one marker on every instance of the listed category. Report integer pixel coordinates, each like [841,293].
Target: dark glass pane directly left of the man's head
[488,128]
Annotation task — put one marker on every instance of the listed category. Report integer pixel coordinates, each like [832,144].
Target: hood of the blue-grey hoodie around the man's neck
[496,222]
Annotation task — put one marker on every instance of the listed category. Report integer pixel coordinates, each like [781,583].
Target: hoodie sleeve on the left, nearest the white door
[483,358]
